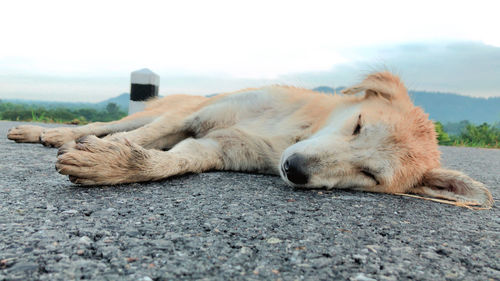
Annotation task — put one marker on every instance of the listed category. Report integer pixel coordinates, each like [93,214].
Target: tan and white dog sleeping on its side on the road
[375,141]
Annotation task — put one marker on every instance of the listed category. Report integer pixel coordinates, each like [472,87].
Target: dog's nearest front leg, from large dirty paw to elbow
[93,161]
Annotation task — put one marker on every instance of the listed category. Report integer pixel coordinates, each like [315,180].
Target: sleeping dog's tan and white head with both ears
[378,142]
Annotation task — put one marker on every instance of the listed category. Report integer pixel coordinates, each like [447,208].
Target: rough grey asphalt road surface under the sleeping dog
[222,225]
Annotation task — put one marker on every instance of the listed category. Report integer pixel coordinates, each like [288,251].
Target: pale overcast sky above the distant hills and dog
[85,51]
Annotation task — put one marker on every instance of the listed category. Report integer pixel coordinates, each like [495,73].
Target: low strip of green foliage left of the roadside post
[24,112]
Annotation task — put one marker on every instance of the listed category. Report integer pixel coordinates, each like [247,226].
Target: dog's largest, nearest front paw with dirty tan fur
[93,161]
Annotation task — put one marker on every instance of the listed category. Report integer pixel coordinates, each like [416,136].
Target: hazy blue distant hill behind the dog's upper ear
[448,107]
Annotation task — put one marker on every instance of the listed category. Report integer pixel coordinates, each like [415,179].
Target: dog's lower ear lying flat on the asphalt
[454,186]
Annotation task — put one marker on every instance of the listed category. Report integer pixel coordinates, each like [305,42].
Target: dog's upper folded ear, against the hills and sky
[381,84]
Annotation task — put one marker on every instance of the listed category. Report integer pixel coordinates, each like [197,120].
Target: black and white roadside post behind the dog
[144,85]
